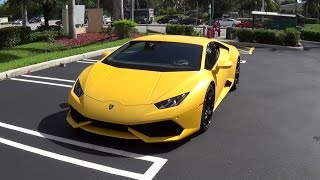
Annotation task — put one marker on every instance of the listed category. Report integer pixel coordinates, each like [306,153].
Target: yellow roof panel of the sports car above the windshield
[176,38]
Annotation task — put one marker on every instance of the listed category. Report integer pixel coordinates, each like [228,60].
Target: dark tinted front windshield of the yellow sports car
[157,56]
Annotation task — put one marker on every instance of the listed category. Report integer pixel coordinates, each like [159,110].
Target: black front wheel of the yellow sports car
[207,110]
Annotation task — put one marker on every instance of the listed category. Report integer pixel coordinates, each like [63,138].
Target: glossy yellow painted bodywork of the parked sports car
[133,93]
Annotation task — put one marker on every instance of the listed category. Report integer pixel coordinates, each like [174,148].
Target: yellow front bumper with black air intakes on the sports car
[144,122]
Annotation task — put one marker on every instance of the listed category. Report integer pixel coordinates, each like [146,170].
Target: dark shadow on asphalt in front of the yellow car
[56,125]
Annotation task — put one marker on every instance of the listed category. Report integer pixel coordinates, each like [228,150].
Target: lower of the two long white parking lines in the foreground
[72,160]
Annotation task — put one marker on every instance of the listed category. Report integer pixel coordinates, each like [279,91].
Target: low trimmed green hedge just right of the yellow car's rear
[288,37]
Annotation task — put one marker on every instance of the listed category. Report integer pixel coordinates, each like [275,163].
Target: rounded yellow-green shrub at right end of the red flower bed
[123,28]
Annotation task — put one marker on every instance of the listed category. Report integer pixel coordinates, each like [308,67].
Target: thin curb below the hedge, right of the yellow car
[257,45]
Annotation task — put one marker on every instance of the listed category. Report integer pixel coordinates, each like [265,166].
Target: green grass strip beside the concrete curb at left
[27,58]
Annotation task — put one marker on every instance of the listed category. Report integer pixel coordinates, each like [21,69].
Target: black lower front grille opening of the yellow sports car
[157,129]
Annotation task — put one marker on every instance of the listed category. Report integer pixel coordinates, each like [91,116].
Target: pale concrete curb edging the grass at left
[37,67]
